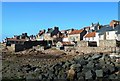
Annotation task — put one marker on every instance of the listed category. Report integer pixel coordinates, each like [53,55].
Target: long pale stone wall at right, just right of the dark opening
[107,43]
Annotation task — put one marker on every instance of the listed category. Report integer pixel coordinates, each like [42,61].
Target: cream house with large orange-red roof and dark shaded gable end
[77,35]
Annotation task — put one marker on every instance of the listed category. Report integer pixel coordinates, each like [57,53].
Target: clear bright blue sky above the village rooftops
[30,17]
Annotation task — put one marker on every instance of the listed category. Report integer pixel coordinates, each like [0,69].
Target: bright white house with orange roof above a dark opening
[92,38]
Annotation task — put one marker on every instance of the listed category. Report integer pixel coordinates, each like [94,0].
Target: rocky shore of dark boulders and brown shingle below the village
[53,65]
